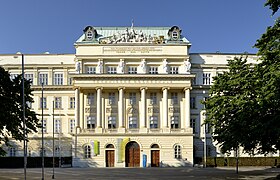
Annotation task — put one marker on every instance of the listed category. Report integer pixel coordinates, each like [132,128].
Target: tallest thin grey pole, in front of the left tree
[23,118]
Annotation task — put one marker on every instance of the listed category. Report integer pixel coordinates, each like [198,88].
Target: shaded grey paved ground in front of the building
[253,173]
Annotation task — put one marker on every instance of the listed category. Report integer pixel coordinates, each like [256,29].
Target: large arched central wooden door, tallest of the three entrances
[132,155]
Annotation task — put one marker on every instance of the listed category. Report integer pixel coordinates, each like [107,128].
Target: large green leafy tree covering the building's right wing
[244,103]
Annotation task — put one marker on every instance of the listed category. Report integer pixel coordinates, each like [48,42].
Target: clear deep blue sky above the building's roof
[37,26]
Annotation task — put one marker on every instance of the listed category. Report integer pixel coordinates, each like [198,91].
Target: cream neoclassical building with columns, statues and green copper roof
[128,97]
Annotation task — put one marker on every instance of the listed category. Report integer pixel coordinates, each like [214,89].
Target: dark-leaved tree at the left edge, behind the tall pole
[11,111]
